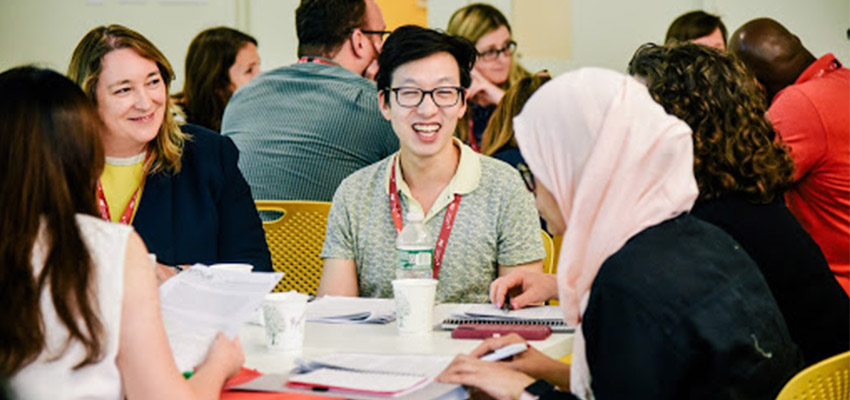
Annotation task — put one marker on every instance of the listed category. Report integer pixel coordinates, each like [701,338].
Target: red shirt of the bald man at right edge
[813,117]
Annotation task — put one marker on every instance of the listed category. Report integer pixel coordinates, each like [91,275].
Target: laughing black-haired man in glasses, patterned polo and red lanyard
[480,218]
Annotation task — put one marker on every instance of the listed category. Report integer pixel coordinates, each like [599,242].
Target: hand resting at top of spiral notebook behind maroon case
[525,287]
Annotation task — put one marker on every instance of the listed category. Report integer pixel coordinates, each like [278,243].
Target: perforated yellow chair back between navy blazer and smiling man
[295,240]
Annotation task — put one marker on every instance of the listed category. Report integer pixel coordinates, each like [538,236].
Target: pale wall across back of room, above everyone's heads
[603,32]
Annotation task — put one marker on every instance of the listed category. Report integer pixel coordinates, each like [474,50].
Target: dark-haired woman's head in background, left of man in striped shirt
[220,60]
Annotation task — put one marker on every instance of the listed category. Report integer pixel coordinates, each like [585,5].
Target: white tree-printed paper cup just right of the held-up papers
[284,321]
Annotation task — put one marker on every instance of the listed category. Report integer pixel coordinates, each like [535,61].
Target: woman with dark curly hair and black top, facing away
[741,173]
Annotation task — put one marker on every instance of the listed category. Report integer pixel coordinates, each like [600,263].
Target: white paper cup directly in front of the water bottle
[414,302]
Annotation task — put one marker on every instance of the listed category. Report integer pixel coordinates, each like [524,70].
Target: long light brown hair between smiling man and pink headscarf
[500,130]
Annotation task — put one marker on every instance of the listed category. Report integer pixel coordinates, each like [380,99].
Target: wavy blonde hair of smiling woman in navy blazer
[166,149]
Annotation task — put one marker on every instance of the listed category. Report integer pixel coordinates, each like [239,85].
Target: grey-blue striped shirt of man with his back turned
[302,129]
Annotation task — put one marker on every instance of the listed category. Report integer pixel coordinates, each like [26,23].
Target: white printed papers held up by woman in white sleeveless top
[199,302]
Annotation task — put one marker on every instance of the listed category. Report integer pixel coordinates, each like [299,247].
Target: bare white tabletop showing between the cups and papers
[324,339]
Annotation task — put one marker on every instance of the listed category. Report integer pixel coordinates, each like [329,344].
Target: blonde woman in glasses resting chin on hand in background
[496,68]
